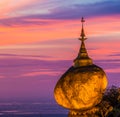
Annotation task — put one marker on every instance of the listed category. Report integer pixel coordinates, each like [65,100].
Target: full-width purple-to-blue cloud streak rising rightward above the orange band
[106,8]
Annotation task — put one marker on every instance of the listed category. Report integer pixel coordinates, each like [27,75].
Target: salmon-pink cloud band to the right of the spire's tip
[102,26]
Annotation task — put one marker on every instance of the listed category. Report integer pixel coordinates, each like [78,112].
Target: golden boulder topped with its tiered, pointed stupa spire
[82,86]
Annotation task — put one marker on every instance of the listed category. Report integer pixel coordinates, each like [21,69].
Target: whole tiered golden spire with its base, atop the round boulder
[82,58]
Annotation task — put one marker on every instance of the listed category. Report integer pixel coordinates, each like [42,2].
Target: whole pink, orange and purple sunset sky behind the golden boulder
[39,41]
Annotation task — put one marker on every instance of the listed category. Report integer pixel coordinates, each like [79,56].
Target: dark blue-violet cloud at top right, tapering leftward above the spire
[89,10]
